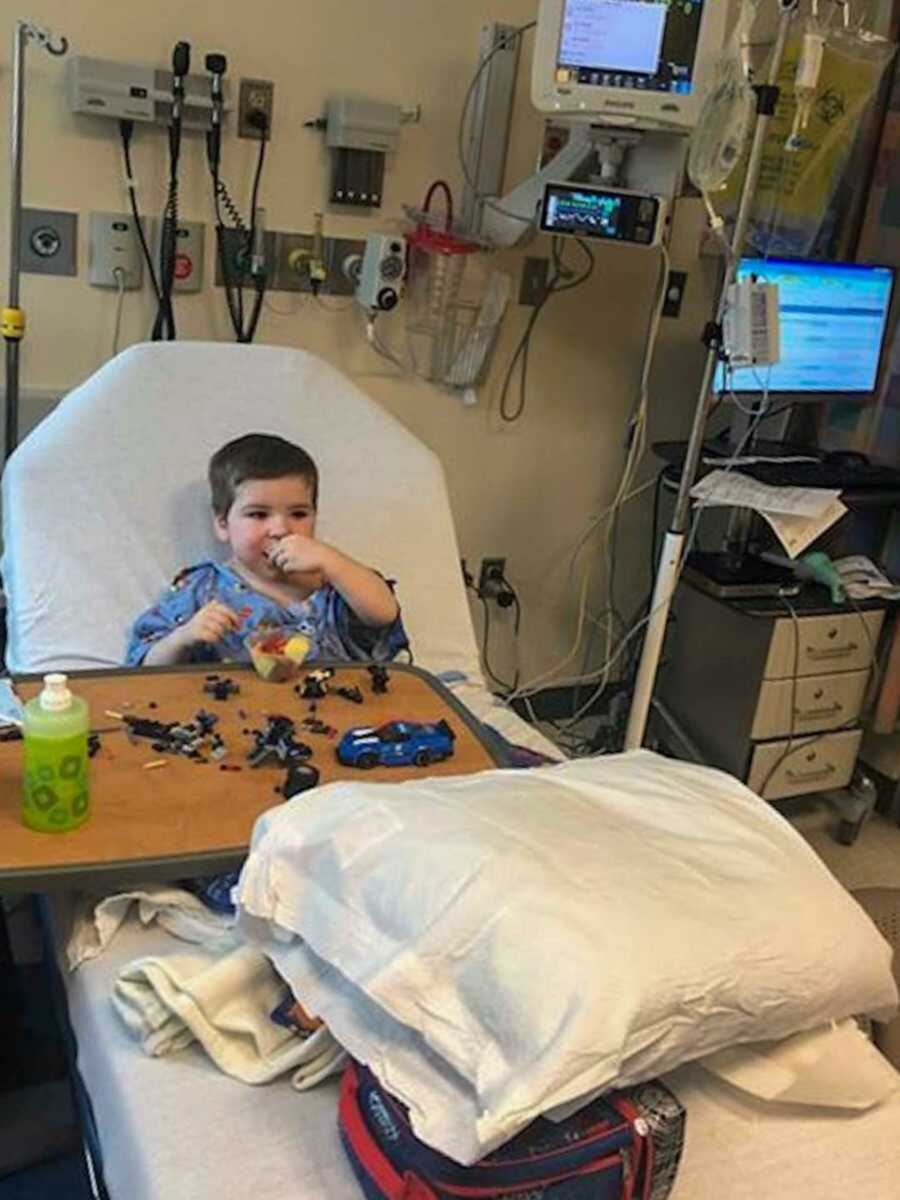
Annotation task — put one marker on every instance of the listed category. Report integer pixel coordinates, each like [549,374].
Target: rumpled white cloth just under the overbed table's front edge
[183,915]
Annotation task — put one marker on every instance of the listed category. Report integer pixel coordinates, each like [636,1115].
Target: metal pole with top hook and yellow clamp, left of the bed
[13,317]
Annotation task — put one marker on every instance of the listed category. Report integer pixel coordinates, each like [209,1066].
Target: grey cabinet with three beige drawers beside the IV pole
[773,701]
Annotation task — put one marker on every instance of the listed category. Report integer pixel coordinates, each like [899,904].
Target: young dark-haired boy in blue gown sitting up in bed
[265,494]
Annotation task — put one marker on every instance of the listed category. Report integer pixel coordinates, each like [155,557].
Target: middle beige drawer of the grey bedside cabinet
[821,703]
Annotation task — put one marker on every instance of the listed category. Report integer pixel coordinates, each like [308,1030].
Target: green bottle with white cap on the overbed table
[56,730]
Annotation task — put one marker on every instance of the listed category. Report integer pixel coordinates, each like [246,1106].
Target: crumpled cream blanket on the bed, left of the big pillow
[225,1004]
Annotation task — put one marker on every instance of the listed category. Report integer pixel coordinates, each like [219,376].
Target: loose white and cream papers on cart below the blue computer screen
[797,515]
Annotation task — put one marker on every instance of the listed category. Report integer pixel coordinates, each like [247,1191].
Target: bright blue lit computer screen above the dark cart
[833,320]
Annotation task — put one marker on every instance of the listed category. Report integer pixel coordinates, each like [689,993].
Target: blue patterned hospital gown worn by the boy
[325,617]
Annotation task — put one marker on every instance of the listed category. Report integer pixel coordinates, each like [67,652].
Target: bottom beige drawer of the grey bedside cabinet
[813,766]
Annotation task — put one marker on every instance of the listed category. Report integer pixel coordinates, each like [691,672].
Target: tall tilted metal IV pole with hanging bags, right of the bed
[673,554]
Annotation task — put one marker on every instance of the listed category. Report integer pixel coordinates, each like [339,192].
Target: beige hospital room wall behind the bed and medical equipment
[525,493]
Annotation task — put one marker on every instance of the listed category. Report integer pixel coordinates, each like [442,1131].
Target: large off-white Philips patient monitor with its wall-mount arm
[626,81]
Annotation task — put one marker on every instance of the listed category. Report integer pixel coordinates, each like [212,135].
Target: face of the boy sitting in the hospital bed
[263,512]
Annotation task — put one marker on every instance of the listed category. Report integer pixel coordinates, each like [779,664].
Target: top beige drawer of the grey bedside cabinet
[825,645]
